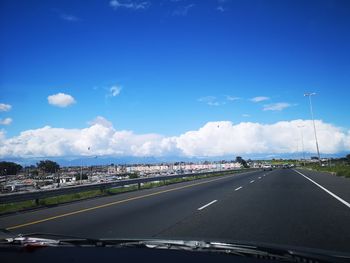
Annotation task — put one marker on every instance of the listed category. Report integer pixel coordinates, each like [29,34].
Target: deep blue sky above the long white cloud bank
[178,64]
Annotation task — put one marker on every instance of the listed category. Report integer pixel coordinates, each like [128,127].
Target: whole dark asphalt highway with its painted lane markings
[284,206]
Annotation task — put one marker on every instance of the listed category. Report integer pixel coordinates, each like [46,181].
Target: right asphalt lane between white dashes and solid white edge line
[281,208]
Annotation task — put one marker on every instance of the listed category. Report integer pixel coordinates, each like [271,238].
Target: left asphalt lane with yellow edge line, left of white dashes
[115,216]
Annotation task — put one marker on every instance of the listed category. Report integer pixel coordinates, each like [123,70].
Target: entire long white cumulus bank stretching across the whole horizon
[213,139]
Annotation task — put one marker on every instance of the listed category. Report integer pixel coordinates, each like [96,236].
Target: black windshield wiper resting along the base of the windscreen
[238,249]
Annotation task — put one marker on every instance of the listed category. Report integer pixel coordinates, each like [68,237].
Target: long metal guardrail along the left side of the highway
[18,197]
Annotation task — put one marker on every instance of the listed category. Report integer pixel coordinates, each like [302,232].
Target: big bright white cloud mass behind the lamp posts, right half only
[225,138]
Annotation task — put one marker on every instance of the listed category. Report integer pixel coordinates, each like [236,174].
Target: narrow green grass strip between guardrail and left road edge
[50,201]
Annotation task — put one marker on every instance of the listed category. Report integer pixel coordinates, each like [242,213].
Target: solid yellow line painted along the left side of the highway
[110,204]
